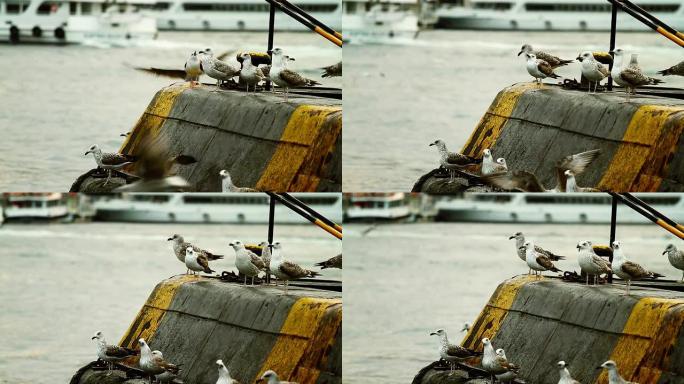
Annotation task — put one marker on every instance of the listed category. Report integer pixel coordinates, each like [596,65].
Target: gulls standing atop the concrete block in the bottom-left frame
[271,262]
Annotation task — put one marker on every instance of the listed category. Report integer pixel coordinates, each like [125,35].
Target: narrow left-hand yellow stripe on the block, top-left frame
[149,124]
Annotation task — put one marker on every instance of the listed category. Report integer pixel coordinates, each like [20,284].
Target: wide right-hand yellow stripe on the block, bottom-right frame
[648,337]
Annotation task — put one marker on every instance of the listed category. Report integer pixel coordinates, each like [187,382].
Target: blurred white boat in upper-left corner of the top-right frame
[380,21]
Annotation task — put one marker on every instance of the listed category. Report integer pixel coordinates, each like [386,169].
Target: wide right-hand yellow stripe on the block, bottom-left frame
[301,335]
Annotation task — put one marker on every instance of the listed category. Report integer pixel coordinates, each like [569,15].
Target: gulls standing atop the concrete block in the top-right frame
[541,65]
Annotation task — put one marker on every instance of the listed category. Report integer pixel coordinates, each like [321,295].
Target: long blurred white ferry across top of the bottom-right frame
[556,208]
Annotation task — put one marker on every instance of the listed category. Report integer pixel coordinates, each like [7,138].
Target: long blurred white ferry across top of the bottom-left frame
[240,208]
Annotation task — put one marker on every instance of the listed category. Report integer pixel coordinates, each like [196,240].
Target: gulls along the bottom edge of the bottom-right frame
[497,365]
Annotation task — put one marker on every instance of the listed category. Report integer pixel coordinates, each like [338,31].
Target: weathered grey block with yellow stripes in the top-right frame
[532,128]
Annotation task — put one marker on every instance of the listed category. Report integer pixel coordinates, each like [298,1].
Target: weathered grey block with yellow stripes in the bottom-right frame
[539,322]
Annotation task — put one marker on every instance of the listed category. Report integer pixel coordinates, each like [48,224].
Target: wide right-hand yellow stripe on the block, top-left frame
[298,141]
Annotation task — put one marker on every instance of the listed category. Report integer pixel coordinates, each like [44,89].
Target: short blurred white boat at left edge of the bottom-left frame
[34,206]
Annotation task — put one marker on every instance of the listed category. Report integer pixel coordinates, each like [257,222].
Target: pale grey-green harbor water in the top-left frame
[59,100]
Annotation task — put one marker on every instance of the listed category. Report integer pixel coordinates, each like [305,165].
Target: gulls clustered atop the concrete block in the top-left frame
[249,71]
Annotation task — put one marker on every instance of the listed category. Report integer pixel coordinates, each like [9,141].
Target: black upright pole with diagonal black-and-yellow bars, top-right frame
[645,18]
